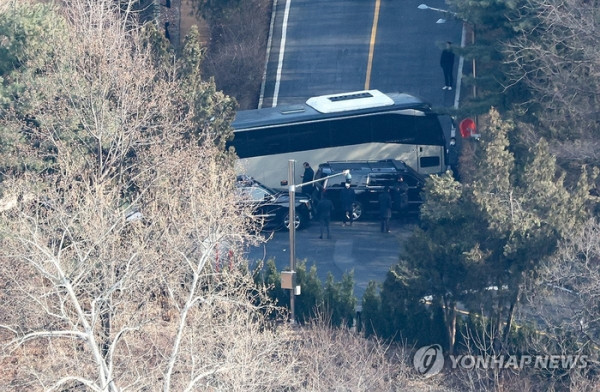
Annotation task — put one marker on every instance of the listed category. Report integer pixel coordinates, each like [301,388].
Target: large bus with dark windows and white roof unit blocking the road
[362,125]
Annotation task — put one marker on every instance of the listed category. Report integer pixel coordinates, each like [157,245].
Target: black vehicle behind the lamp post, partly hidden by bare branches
[272,207]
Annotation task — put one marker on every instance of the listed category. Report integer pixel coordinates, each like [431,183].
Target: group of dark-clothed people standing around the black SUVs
[392,196]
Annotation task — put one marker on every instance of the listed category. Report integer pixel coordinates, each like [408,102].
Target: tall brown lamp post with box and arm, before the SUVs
[290,277]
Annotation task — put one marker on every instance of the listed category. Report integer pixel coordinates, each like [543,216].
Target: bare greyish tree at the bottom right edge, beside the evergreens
[563,299]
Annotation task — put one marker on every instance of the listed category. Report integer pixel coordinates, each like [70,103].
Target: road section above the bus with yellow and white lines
[327,45]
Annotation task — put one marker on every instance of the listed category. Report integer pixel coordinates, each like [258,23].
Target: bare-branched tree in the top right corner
[557,56]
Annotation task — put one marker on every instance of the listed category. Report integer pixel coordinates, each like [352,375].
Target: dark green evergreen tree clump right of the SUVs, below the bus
[478,243]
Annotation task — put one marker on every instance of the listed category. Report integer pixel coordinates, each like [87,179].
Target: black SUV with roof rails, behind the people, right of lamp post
[369,179]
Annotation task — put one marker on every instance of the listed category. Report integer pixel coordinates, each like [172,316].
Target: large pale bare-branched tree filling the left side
[112,263]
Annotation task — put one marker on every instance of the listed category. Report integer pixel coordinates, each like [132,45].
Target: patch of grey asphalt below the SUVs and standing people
[360,247]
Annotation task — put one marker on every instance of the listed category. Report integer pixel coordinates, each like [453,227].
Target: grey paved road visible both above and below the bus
[327,46]
